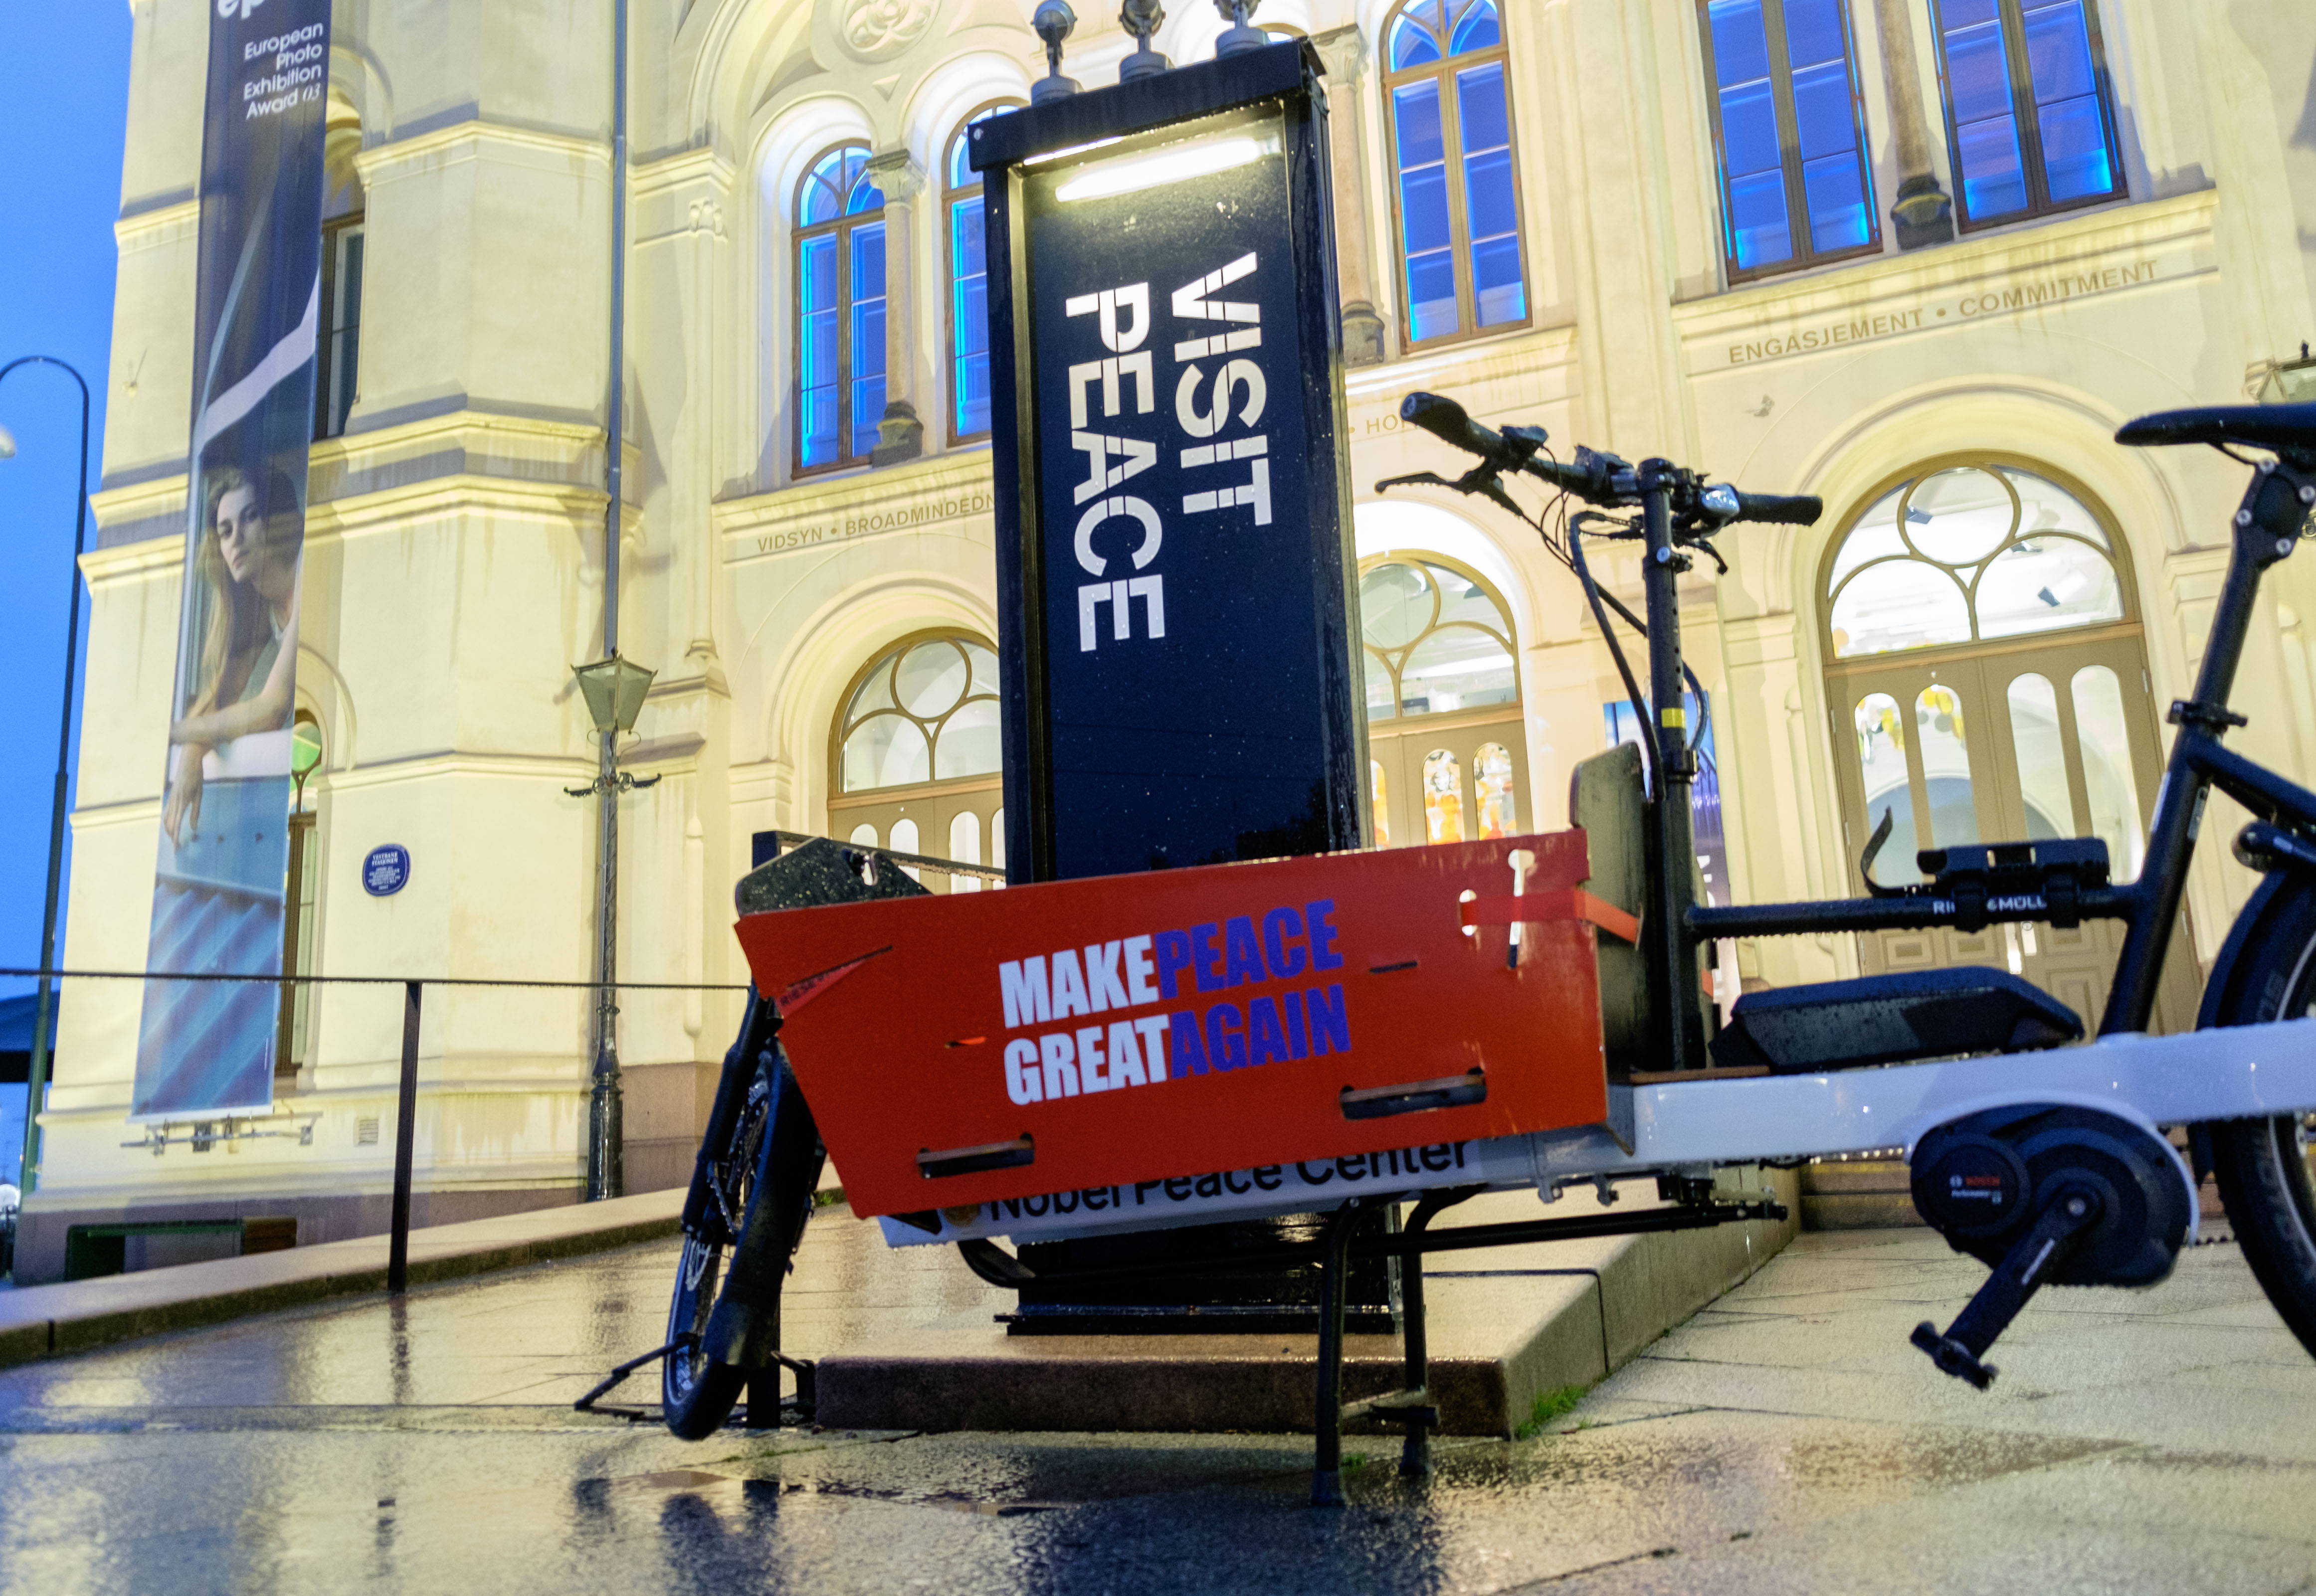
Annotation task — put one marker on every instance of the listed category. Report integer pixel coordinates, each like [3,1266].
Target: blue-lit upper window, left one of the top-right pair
[1796,189]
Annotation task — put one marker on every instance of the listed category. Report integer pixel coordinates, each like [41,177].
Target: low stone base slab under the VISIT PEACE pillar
[1509,1328]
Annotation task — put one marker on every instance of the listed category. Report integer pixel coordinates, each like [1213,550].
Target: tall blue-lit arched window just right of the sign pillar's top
[1458,193]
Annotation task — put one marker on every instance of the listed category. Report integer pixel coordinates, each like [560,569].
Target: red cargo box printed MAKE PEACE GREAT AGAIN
[1138,1027]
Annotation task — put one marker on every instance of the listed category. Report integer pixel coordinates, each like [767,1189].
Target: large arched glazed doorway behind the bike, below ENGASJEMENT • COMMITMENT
[1988,682]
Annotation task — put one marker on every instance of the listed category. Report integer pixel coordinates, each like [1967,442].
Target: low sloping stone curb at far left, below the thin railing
[73,1317]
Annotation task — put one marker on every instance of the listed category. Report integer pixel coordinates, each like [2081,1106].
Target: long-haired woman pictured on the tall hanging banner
[249,564]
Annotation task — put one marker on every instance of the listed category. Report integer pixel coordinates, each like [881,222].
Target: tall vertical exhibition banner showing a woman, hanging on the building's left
[219,893]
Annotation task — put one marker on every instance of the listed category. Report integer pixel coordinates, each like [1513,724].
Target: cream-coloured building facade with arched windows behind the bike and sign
[1912,256]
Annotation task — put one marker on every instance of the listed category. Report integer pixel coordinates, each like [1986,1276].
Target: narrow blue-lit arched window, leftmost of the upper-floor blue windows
[840,312]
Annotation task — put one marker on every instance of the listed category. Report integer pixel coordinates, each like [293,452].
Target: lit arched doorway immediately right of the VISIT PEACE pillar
[1446,752]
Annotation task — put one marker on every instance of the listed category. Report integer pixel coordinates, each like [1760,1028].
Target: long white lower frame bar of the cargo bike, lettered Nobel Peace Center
[2153,1081]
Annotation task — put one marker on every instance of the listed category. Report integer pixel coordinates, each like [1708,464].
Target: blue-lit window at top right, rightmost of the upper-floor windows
[2028,108]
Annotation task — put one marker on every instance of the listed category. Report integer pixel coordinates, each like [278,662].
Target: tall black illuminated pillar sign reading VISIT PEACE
[1173,488]
